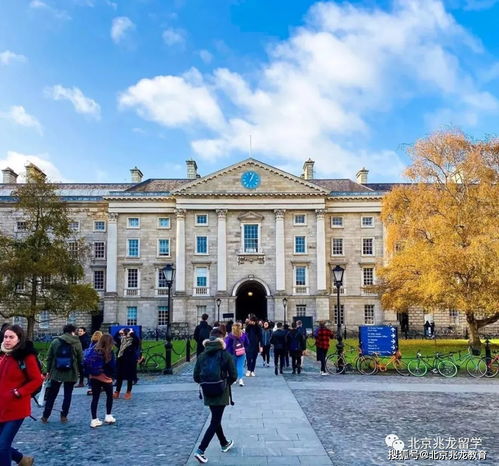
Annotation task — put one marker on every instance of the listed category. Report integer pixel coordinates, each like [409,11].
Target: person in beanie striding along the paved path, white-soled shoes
[215,347]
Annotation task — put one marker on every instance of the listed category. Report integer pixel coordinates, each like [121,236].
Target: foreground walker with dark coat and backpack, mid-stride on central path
[215,358]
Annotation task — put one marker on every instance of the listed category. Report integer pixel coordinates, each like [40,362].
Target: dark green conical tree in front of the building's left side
[41,267]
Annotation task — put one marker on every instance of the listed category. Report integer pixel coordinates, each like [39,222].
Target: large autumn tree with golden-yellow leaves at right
[443,231]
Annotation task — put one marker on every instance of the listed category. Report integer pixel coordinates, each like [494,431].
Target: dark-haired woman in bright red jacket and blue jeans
[20,376]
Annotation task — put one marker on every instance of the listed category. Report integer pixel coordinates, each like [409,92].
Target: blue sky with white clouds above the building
[92,88]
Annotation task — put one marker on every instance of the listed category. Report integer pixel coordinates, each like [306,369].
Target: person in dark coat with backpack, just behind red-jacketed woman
[64,362]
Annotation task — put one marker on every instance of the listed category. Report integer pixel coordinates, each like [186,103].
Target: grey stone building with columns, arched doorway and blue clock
[247,238]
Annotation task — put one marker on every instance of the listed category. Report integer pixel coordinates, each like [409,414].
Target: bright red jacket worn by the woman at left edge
[26,382]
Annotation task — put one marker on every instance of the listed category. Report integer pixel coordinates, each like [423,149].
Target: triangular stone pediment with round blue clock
[261,180]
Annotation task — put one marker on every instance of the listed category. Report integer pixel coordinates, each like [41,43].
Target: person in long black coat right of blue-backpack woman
[126,366]
